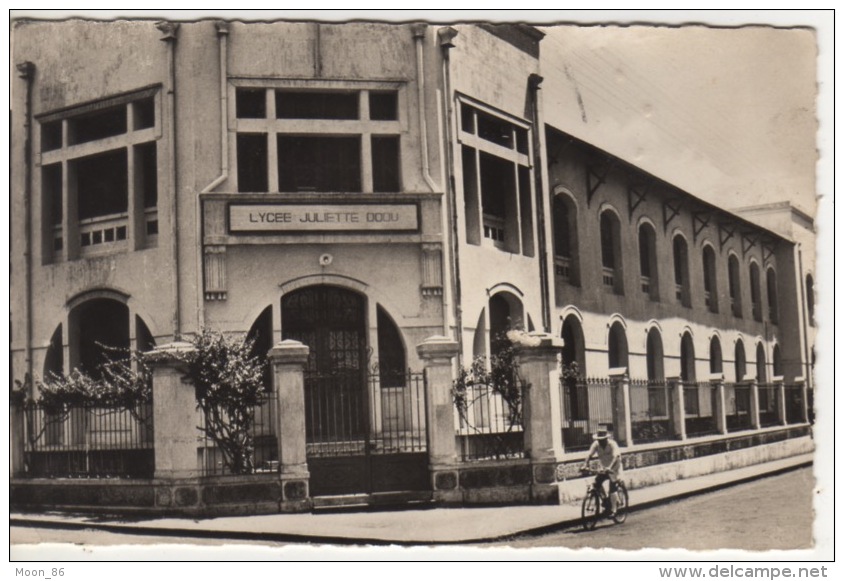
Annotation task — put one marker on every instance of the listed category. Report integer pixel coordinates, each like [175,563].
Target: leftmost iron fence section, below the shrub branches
[88,441]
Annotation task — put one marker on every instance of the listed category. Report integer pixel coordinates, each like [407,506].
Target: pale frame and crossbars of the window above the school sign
[272,127]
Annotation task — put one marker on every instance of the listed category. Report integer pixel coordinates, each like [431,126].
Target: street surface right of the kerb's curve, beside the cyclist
[767,514]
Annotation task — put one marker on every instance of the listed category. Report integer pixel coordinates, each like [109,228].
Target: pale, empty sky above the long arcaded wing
[726,114]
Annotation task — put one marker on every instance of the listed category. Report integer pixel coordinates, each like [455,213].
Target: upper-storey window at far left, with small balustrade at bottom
[99,176]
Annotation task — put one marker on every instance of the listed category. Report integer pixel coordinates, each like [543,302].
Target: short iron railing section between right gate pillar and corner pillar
[489,426]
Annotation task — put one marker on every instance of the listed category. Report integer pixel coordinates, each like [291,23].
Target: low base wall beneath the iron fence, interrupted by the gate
[481,483]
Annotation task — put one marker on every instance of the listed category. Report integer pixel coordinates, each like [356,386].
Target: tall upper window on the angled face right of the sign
[497,179]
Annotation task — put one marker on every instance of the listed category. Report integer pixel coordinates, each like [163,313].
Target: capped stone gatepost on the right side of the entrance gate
[436,354]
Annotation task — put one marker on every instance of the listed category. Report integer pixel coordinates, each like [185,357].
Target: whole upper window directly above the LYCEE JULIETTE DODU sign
[316,140]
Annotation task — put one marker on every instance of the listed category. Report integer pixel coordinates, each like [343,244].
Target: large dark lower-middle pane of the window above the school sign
[318,164]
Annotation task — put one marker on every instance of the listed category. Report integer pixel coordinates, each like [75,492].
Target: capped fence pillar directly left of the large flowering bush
[174,413]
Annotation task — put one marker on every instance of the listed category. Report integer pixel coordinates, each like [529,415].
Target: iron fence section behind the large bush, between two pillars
[263,455]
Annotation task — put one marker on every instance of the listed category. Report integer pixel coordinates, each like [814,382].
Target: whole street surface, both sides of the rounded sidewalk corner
[770,513]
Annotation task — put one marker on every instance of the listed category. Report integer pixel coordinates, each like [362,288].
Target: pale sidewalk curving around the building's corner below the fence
[401,527]
